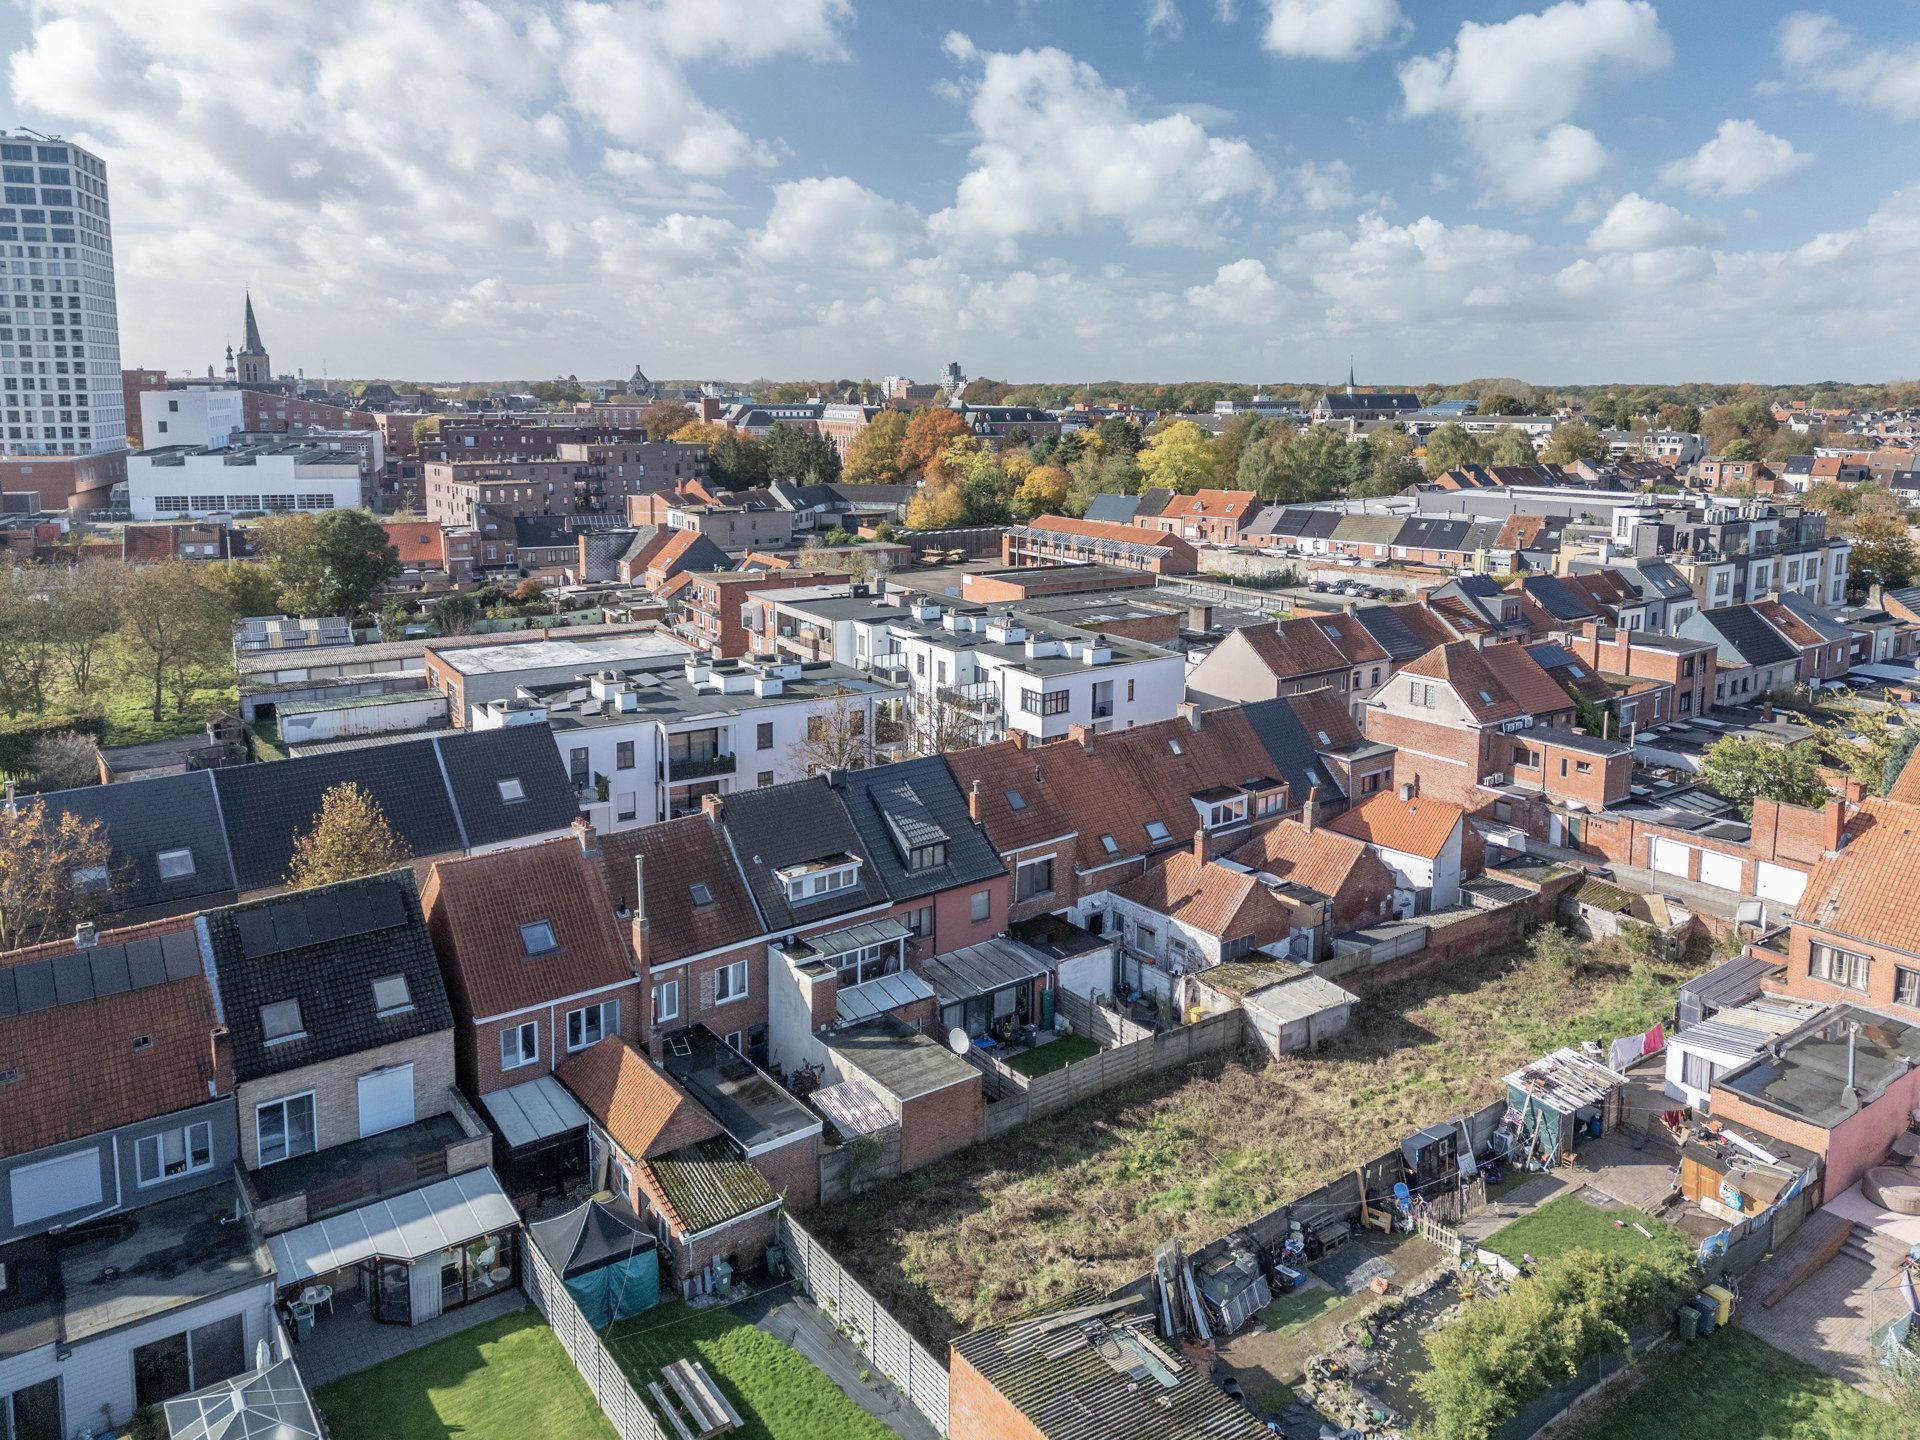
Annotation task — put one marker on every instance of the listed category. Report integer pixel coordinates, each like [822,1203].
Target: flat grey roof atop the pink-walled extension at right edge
[1804,1076]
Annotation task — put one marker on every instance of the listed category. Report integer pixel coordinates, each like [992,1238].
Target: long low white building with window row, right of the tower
[252,479]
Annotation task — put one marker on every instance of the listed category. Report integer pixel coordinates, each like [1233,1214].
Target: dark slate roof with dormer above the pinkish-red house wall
[911,804]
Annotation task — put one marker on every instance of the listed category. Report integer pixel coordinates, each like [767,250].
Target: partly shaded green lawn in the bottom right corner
[1737,1385]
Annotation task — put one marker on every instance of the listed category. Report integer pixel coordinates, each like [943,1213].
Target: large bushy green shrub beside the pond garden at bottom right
[1500,1355]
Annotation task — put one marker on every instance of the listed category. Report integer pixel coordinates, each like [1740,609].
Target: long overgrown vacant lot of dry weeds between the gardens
[1086,1195]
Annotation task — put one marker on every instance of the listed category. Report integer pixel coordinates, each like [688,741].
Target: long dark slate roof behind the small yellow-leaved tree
[441,794]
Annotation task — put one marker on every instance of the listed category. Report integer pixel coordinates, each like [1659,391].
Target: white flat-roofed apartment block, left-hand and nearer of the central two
[650,742]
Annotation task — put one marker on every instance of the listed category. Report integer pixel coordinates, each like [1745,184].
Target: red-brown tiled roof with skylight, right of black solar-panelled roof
[475,909]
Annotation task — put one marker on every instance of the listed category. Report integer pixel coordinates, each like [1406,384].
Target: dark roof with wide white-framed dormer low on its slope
[794,825]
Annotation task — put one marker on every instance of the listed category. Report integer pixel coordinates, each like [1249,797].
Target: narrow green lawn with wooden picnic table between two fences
[779,1393]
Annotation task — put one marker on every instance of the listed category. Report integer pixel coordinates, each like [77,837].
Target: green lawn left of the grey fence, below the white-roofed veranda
[500,1381]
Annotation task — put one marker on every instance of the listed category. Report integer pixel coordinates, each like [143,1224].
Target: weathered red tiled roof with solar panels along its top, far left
[99,1065]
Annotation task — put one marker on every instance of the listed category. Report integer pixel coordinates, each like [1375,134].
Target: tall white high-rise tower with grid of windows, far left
[60,372]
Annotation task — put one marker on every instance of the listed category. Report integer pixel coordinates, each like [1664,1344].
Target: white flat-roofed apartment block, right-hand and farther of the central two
[974,675]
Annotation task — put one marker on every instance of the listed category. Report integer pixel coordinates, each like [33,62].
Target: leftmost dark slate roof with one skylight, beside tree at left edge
[147,817]
